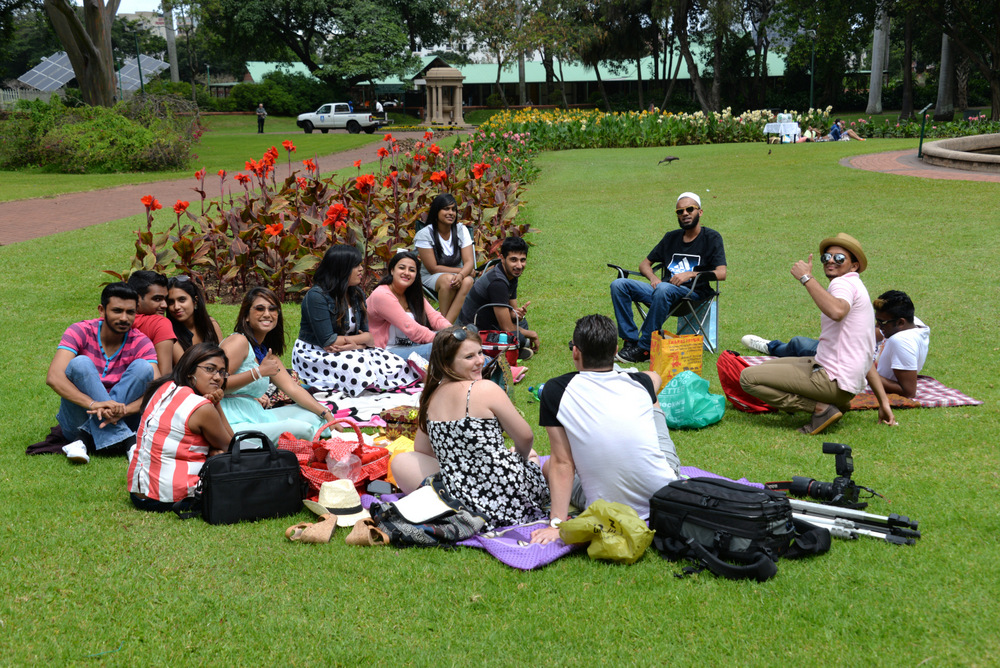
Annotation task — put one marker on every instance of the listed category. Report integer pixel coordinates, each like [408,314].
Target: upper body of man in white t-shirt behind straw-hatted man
[904,345]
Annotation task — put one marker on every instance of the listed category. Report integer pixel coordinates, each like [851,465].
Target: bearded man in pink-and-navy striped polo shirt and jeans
[101,370]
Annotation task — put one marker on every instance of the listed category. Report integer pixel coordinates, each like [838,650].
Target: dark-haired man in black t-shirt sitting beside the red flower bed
[498,288]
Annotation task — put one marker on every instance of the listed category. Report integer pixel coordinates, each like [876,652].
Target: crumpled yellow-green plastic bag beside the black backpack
[615,532]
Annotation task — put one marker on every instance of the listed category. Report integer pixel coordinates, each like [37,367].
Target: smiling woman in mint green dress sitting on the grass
[254,363]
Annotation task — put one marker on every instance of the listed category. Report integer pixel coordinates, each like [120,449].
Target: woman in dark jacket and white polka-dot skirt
[333,349]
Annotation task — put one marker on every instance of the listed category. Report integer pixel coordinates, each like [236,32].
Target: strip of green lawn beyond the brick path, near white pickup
[227,144]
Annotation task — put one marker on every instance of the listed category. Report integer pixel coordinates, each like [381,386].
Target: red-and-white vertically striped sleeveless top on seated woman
[168,456]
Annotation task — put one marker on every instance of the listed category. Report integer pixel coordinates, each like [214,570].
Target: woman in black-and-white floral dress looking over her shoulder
[462,421]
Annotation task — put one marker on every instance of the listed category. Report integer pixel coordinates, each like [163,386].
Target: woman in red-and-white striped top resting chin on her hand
[182,425]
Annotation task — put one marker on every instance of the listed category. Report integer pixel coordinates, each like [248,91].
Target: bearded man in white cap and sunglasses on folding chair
[684,253]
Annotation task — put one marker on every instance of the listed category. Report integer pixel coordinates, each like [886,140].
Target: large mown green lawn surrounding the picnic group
[82,573]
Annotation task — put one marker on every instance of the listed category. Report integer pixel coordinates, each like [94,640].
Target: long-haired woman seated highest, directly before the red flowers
[447,256]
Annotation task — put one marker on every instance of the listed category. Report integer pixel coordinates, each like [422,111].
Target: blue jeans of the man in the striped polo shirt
[75,420]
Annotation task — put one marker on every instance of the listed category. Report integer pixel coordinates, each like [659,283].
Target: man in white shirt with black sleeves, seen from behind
[605,426]
